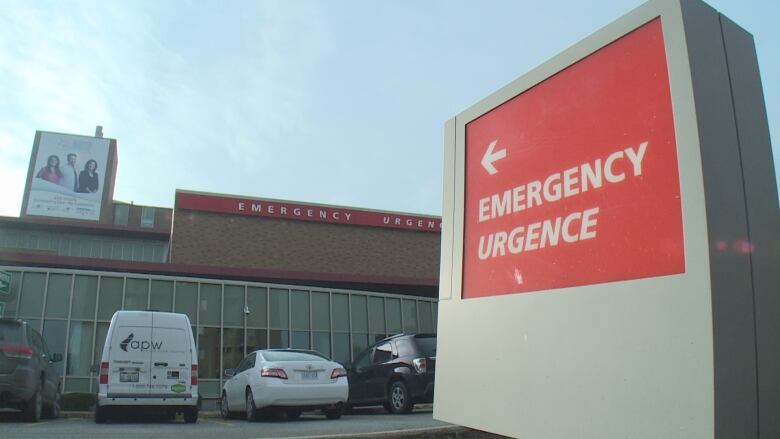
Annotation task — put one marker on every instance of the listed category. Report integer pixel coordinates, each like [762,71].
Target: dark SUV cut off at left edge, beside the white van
[28,379]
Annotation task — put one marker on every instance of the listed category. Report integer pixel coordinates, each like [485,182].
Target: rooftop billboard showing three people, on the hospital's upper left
[68,176]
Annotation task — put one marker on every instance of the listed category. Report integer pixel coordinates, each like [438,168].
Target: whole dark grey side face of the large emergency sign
[741,215]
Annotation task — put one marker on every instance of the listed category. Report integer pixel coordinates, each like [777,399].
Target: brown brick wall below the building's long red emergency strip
[279,244]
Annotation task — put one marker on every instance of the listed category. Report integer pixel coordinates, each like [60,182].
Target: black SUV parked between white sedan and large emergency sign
[397,372]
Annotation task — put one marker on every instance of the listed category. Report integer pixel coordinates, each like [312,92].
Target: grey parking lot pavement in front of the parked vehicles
[362,422]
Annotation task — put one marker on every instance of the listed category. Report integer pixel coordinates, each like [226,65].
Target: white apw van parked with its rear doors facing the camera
[149,360]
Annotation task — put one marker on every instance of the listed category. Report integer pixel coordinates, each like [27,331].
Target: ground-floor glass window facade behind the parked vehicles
[73,309]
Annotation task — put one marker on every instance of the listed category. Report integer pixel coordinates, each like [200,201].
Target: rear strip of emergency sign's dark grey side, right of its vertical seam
[761,205]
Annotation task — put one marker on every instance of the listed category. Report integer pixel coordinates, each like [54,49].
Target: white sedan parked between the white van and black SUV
[291,380]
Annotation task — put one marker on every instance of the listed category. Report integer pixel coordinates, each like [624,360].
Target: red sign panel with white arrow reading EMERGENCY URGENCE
[575,181]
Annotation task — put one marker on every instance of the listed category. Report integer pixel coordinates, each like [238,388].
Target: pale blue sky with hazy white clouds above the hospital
[334,102]
